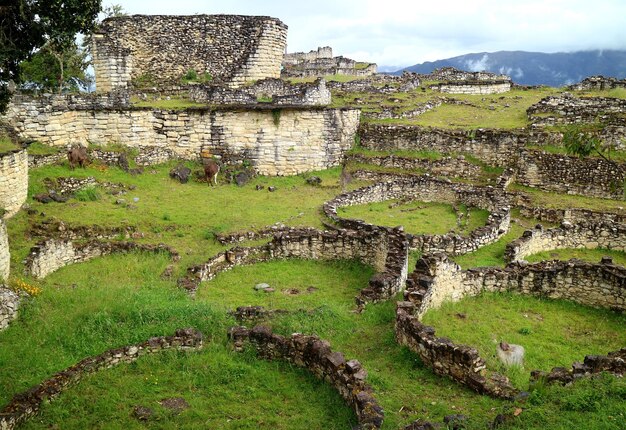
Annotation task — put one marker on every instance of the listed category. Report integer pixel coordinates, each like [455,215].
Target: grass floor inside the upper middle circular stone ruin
[416,217]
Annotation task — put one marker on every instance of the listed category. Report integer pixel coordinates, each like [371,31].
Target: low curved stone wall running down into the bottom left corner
[25,405]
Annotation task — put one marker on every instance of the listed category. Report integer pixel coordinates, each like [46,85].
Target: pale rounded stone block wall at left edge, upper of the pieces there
[13,181]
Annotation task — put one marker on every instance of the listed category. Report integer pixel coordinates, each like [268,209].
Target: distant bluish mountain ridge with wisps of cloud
[536,68]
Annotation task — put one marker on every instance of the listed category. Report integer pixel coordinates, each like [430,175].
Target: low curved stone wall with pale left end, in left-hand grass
[52,254]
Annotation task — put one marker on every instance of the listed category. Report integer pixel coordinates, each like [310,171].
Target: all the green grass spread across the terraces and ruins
[117,300]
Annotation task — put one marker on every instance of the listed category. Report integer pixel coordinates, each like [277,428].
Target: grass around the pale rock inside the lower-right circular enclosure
[552,332]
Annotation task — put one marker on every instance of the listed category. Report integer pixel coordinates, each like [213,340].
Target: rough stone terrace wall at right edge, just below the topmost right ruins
[567,109]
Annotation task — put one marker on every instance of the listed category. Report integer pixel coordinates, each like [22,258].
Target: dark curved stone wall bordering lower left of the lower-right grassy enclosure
[460,362]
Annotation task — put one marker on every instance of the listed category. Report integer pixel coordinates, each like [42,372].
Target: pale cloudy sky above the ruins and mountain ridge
[403,33]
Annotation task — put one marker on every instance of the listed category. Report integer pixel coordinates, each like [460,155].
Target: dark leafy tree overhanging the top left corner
[27,26]
